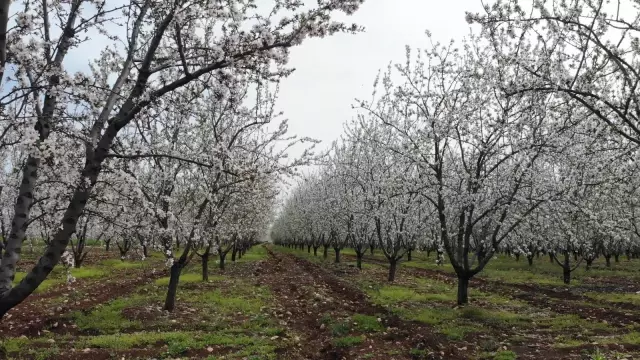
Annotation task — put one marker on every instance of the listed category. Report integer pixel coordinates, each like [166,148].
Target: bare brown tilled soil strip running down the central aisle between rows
[306,294]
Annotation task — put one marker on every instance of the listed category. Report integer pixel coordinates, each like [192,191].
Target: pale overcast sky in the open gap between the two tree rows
[332,72]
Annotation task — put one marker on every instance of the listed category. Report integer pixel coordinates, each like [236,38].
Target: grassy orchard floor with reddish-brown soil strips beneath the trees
[279,303]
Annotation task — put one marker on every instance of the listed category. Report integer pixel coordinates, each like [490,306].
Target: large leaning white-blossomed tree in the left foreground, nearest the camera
[164,46]
